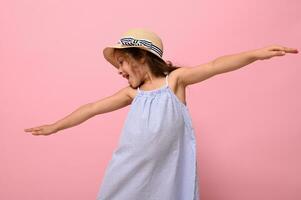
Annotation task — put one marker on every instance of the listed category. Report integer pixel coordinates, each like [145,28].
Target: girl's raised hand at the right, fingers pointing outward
[273,50]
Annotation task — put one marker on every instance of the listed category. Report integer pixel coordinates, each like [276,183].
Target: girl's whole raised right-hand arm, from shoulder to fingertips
[227,63]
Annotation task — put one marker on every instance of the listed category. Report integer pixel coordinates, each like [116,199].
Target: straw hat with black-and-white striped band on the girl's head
[139,38]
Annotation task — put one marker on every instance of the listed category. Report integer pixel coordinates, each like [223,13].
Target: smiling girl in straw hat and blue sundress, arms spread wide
[156,155]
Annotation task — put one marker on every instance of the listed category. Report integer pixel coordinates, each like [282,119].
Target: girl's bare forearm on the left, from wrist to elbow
[76,117]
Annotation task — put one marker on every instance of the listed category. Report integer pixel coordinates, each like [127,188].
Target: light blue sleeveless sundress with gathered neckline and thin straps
[156,155]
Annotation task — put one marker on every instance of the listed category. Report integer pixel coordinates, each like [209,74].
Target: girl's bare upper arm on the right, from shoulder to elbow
[192,75]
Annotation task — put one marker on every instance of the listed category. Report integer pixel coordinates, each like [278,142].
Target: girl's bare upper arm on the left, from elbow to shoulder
[116,101]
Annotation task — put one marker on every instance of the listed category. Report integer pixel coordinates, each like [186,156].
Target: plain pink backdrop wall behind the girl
[247,121]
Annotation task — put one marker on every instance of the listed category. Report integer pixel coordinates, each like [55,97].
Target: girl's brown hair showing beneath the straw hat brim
[157,66]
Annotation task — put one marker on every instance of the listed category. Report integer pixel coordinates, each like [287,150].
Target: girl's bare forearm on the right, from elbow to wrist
[232,62]
